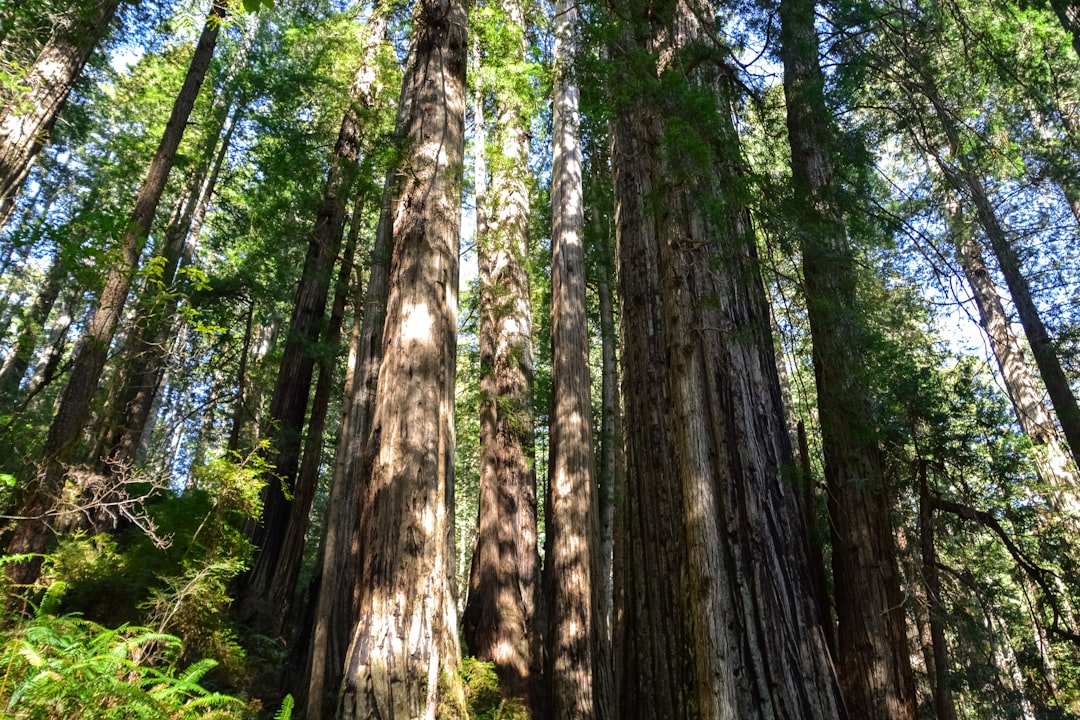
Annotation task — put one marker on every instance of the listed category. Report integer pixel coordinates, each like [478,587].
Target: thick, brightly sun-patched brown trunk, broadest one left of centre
[403,658]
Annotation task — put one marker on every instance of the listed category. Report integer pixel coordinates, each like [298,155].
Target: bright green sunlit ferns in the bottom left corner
[63,667]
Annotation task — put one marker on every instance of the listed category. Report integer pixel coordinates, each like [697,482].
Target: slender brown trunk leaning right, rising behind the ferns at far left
[34,535]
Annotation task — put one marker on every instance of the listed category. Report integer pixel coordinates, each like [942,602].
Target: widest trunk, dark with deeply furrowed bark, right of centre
[749,645]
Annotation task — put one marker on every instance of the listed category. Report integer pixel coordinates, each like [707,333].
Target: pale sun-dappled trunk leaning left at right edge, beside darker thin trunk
[1055,467]
